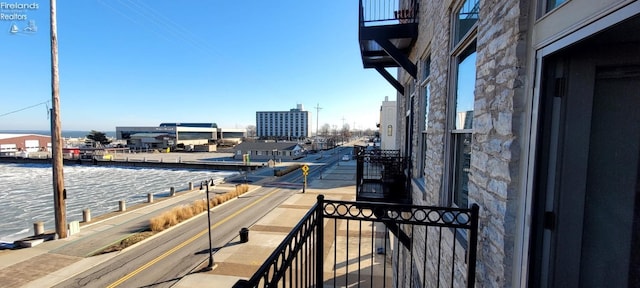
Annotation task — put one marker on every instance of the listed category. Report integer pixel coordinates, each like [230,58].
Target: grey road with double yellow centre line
[165,259]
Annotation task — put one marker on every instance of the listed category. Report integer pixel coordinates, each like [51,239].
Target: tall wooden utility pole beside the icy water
[59,196]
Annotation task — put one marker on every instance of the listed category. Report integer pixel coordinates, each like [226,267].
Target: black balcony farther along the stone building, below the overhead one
[380,176]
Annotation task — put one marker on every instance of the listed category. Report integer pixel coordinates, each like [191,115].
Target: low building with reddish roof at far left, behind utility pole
[11,144]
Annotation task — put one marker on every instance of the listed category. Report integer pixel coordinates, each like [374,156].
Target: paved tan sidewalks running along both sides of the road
[54,261]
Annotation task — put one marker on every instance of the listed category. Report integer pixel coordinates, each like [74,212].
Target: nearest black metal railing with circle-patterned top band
[347,244]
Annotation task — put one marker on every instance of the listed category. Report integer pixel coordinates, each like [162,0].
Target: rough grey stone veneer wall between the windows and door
[498,123]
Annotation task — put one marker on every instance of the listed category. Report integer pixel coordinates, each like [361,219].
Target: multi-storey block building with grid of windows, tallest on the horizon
[288,125]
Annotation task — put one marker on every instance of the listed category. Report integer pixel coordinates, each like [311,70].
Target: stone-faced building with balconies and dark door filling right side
[526,108]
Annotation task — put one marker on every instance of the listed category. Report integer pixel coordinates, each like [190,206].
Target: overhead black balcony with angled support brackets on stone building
[387,31]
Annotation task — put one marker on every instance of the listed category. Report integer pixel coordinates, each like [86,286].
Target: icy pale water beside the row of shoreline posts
[27,194]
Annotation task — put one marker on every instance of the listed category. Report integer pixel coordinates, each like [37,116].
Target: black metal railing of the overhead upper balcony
[388,12]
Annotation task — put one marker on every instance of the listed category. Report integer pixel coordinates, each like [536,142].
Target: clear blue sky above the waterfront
[143,62]
